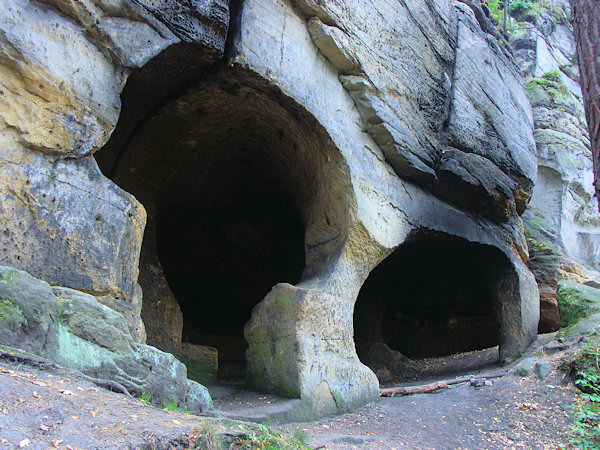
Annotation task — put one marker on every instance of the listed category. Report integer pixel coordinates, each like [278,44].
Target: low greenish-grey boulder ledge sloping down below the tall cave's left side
[73,329]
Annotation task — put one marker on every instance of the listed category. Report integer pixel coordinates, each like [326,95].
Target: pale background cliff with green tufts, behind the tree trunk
[562,218]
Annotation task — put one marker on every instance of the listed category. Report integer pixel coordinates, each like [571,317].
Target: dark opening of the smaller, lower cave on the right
[434,297]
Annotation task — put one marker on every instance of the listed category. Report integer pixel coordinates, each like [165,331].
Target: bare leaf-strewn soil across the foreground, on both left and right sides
[54,409]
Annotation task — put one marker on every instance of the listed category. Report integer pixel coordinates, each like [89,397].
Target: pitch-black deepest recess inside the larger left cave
[222,253]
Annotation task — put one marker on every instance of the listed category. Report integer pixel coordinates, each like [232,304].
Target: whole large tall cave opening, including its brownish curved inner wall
[237,180]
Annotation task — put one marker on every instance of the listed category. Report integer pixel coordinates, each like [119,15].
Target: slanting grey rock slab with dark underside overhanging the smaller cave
[439,115]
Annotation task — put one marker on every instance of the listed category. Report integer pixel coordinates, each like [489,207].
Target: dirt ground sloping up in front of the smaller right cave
[513,413]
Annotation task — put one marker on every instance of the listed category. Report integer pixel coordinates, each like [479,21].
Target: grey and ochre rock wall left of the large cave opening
[64,65]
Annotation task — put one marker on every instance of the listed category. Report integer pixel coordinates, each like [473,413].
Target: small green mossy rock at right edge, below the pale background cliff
[576,302]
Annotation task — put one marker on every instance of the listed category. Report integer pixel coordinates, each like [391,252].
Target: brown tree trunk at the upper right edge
[586,25]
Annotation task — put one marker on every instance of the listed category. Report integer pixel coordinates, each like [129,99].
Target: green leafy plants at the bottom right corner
[585,431]
